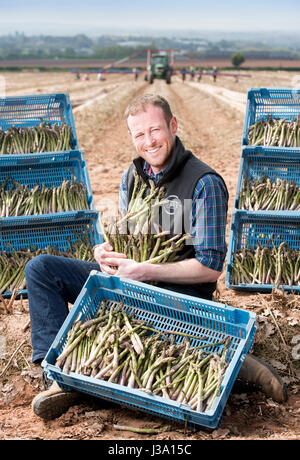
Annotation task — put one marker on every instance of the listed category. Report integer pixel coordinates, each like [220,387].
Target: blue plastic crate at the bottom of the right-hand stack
[249,228]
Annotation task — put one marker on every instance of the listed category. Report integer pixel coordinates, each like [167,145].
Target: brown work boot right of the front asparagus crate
[263,377]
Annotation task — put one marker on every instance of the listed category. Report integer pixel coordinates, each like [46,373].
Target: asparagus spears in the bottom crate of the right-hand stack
[266,265]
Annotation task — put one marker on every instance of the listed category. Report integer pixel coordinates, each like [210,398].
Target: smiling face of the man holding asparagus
[152,137]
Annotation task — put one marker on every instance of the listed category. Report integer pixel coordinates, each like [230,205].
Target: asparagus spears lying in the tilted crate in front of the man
[120,348]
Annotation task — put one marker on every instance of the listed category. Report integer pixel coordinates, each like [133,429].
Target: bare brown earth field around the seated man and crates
[210,124]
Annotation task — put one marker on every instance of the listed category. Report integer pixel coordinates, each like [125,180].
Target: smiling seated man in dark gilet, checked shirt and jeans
[53,281]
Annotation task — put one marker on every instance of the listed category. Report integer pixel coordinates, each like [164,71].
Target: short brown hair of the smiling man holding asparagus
[140,103]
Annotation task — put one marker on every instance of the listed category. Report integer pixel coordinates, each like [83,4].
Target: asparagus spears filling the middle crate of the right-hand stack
[263,194]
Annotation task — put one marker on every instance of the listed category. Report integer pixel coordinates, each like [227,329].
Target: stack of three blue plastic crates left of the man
[50,168]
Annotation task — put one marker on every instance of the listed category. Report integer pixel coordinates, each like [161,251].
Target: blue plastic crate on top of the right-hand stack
[278,102]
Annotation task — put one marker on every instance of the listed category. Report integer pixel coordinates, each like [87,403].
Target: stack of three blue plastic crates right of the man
[274,162]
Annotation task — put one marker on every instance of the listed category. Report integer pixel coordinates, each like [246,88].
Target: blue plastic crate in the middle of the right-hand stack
[283,163]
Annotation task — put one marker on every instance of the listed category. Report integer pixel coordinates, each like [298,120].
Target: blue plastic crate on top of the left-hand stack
[31,110]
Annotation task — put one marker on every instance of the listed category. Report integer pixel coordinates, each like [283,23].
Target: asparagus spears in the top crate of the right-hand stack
[275,132]
